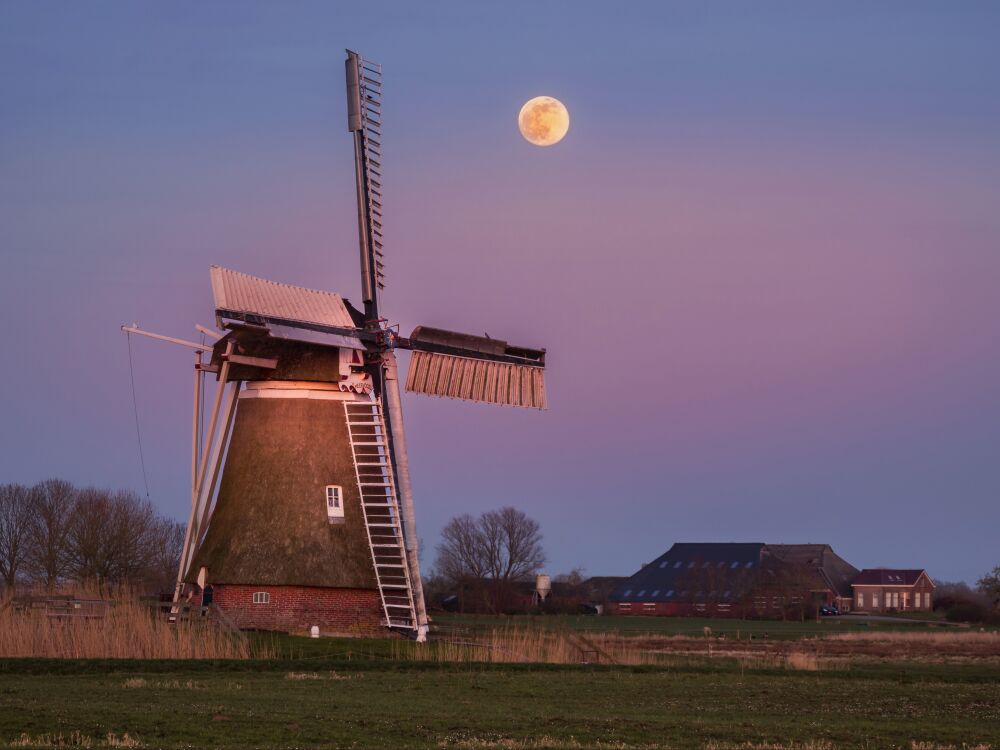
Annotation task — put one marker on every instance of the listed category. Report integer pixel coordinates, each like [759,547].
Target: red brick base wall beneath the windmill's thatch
[297,608]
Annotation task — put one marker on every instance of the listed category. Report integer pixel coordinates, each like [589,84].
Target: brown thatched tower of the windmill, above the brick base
[270,525]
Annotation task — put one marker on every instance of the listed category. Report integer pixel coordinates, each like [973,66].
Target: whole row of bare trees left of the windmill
[54,533]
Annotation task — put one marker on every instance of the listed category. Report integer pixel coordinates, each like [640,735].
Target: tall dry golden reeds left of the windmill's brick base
[128,630]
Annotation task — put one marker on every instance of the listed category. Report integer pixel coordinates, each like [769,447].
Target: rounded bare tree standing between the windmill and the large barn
[499,547]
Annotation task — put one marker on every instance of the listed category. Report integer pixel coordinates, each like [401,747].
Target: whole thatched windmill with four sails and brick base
[302,507]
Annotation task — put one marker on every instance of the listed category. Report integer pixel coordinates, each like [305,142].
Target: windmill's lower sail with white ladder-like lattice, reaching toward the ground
[380,509]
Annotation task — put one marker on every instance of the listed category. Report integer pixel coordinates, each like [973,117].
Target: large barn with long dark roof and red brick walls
[737,580]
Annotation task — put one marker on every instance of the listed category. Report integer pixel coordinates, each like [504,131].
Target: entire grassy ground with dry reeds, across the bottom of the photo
[810,686]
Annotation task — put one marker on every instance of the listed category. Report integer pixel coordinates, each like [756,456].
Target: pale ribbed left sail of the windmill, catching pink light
[242,294]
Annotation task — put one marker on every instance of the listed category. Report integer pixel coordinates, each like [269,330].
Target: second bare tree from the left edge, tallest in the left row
[52,510]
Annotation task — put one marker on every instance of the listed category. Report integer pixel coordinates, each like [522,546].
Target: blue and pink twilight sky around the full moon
[764,261]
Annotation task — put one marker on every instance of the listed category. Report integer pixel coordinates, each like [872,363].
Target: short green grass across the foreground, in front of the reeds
[372,702]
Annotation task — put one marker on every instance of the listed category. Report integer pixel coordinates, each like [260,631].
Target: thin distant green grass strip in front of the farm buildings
[637,625]
